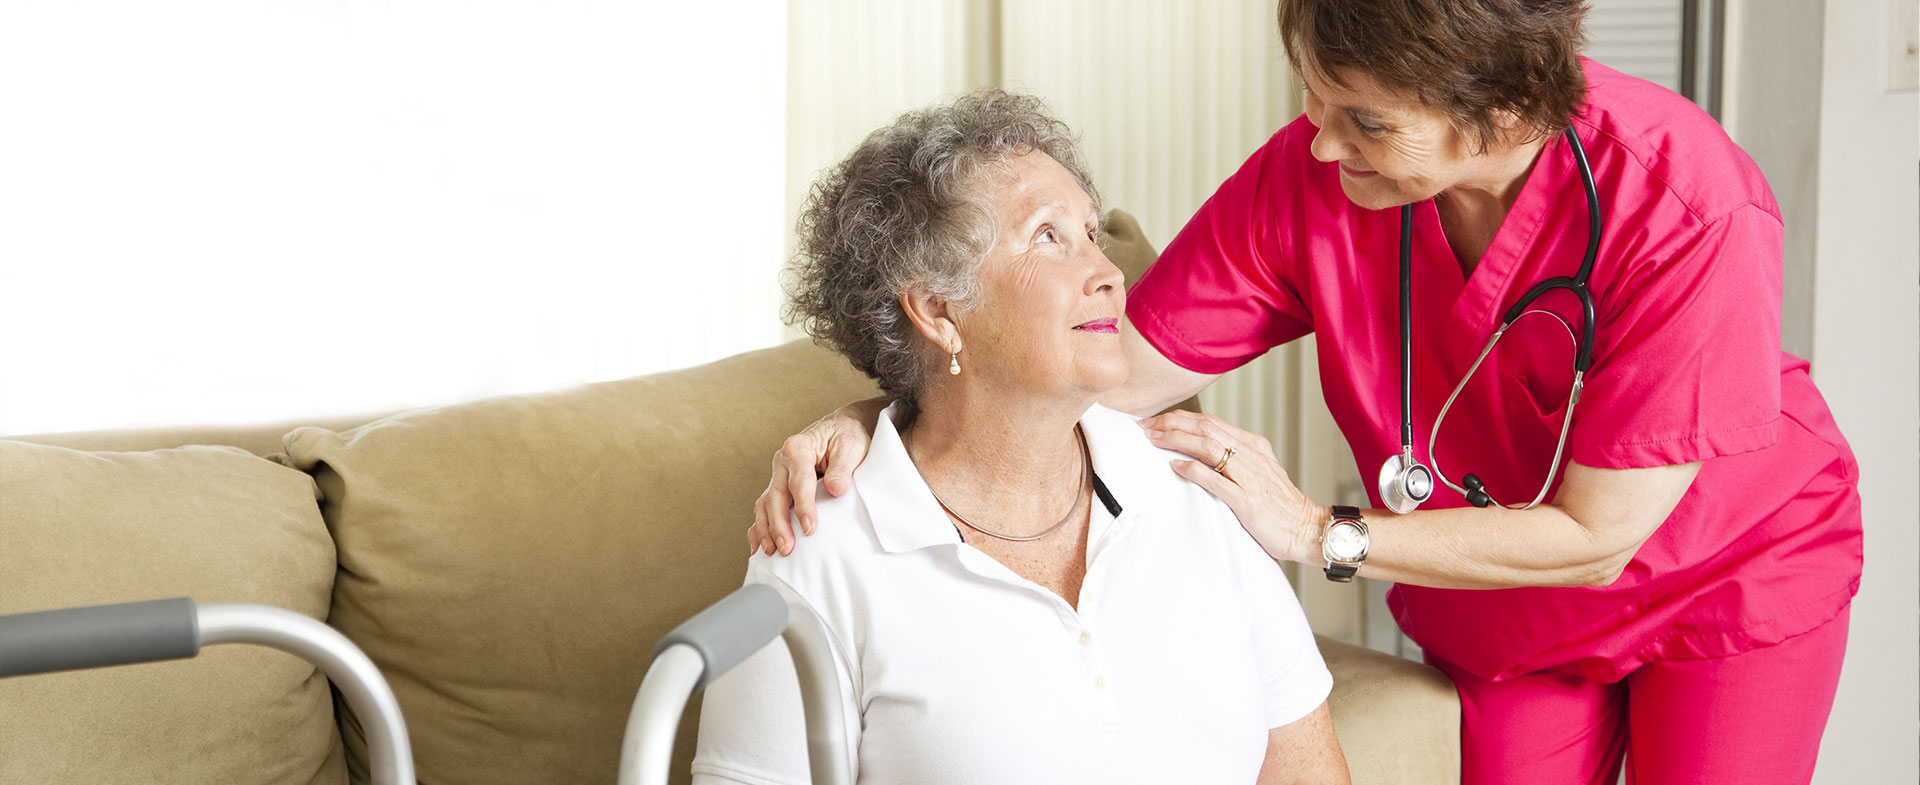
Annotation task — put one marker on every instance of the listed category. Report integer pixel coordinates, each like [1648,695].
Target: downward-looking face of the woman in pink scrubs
[1393,151]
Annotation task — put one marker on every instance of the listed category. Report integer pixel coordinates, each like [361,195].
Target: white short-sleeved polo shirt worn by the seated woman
[1186,650]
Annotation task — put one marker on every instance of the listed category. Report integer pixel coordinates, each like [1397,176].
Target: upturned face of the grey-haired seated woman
[1047,318]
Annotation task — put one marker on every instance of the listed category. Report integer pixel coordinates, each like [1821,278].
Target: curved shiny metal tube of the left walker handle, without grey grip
[345,665]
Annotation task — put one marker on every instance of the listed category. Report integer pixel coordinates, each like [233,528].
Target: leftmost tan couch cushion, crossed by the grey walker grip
[208,523]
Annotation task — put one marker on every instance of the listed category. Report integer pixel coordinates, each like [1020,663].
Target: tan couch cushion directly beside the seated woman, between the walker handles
[512,563]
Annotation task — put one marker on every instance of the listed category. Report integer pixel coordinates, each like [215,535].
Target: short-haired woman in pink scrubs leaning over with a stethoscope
[1679,602]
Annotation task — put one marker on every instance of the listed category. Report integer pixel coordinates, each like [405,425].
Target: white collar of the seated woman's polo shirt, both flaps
[905,515]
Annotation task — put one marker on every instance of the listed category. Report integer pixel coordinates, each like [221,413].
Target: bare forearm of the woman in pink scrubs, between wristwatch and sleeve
[1493,548]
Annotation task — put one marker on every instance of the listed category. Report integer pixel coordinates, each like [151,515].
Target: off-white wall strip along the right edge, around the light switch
[1865,352]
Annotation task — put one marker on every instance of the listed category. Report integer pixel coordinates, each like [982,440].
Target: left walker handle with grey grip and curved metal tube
[176,629]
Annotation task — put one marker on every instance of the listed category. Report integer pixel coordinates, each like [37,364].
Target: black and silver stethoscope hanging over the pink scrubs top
[1404,481]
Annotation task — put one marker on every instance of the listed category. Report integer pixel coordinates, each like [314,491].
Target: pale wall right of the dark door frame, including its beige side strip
[1846,178]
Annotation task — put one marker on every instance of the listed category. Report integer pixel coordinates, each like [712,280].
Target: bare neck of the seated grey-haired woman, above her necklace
[1013,464]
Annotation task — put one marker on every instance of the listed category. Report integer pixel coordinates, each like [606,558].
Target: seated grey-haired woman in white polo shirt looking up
[1017,586]
